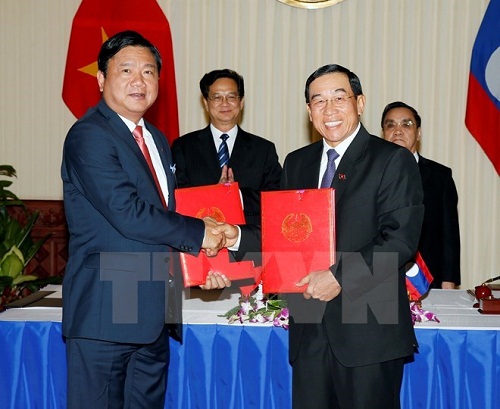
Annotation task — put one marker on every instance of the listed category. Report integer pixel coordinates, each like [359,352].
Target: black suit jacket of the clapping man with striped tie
[254,162]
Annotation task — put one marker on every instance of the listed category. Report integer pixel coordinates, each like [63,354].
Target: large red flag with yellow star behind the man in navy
[96,21]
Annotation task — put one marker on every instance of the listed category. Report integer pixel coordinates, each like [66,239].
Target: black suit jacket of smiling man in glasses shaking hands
[378,205]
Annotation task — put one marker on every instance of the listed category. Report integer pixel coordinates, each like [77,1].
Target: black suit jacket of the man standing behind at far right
[440,239]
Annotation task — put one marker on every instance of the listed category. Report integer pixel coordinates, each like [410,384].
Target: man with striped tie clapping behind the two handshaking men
[253,161]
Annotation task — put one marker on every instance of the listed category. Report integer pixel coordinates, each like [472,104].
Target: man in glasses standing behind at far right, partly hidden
[440,238]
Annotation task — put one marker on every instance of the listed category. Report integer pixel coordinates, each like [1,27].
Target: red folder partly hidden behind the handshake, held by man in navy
[222,202]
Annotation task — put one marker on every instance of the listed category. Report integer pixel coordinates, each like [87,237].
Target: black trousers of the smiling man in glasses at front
[319,381]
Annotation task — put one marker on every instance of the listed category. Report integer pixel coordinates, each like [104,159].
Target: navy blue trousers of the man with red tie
[109,375]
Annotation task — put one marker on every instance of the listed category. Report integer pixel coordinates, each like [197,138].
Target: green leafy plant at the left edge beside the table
[17,247]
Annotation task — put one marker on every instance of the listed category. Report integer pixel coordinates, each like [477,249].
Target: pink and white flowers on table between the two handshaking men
[260,309]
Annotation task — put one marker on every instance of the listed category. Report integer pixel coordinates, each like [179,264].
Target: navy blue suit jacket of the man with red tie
[116,280]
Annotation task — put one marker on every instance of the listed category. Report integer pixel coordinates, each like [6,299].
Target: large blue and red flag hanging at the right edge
[482,116]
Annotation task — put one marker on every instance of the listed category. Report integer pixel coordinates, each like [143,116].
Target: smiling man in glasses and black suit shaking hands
[350,354]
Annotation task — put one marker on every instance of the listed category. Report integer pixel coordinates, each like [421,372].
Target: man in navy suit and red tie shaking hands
[120,208]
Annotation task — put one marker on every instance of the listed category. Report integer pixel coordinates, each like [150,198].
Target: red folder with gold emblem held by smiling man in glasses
[298,236]
